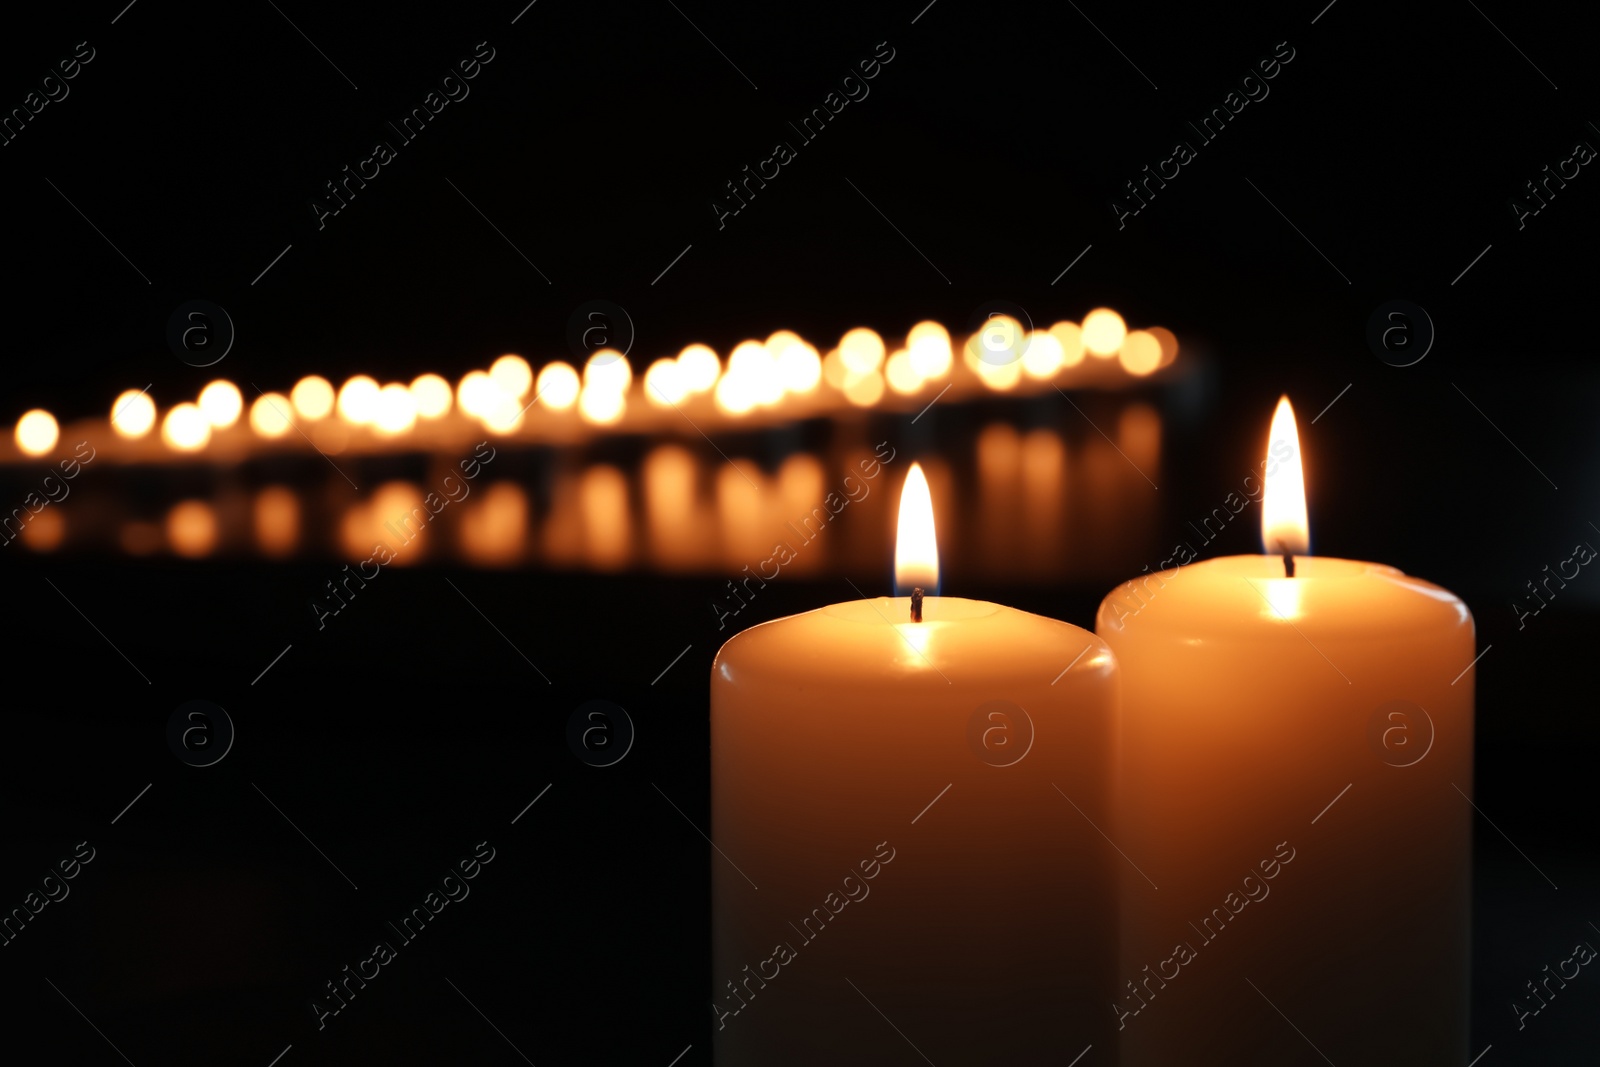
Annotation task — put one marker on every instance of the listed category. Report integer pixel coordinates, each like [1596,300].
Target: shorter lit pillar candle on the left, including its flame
[908,797]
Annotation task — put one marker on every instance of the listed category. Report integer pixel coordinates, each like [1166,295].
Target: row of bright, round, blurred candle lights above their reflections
[761,383]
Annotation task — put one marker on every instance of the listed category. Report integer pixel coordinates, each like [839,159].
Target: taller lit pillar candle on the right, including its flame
[1297,761]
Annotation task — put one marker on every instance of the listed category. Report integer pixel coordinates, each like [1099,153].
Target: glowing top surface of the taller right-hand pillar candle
[1236,596]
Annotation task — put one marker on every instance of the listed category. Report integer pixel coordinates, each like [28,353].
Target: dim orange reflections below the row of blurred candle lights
[1015,503]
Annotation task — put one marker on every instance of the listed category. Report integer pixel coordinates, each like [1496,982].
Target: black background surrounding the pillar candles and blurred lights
[596,143]
